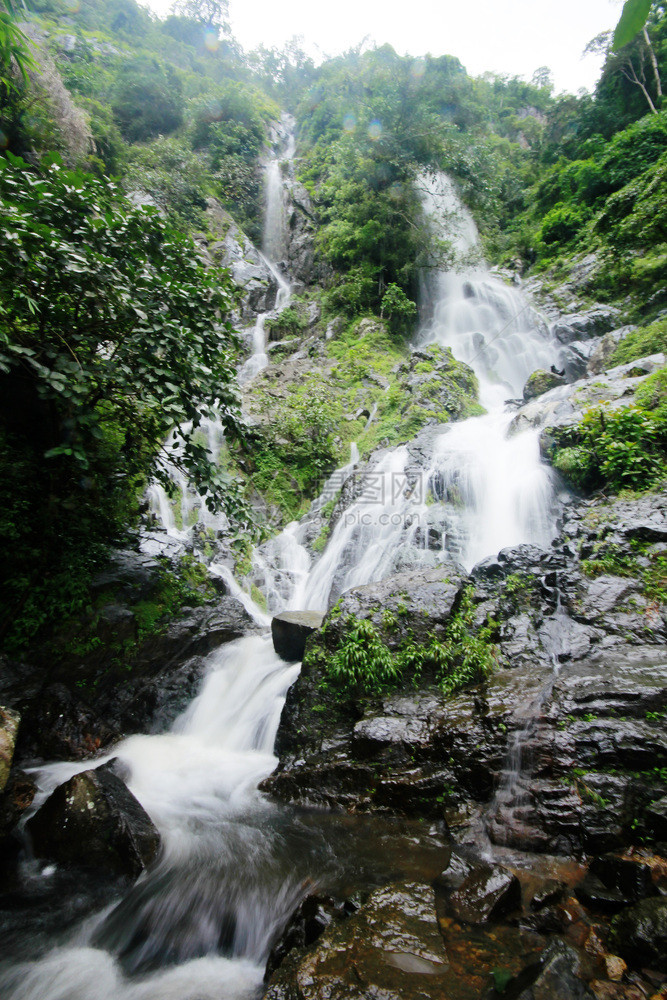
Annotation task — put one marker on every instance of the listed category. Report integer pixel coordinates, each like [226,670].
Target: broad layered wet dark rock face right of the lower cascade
[580,686]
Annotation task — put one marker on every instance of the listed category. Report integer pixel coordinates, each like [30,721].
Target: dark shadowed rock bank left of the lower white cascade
[75,707]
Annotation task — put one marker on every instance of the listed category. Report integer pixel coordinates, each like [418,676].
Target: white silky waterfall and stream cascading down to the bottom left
[200,923]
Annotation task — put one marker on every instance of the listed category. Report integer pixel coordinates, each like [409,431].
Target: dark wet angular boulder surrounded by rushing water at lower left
[94,820]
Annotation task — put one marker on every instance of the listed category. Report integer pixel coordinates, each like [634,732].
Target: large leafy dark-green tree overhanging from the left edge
[112,333]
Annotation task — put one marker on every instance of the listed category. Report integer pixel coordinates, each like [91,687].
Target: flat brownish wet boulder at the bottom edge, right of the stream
[389,948]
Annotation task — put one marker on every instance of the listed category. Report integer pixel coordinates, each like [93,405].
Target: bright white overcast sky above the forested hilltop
[501,36]
